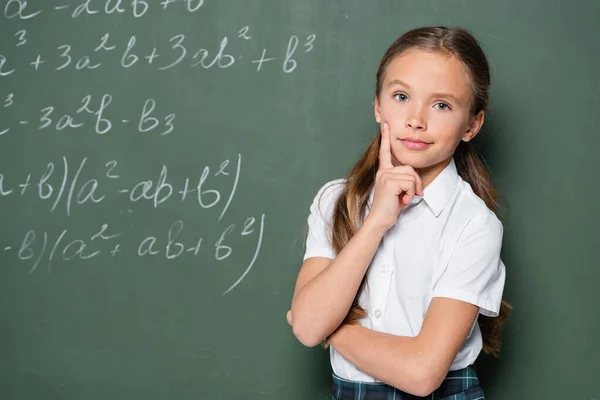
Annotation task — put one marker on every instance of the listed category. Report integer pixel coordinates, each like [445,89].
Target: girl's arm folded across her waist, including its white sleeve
[472,283]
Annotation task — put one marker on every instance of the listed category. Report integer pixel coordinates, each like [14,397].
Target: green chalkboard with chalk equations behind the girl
[157,162]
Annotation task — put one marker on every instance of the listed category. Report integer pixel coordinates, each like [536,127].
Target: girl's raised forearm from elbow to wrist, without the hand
[321,305]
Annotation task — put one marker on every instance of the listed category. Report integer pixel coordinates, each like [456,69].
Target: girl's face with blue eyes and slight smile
[426,100]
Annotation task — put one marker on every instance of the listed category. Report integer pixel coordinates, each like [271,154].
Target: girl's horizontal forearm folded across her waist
[399,361]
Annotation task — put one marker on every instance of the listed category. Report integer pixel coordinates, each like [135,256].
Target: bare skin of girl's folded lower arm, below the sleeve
[416,365]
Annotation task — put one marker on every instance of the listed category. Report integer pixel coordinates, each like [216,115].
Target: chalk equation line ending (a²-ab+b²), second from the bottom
[59,182]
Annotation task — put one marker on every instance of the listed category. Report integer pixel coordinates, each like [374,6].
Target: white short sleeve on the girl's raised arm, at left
[318,239]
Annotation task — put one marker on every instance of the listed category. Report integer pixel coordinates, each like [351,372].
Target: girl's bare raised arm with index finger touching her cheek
[326,288]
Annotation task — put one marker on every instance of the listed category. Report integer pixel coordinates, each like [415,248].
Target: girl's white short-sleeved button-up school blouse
[444,244]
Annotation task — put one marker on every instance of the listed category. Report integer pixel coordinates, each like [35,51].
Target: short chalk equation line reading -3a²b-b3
[94,110]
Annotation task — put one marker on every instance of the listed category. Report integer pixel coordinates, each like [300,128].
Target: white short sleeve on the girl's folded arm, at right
[475,272]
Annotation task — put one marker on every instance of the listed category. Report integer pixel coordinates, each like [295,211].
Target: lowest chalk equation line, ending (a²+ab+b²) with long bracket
[39,248]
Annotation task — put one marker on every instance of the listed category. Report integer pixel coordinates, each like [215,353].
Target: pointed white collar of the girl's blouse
[438,192]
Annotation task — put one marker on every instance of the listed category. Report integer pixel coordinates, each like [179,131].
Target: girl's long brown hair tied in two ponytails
[350,207]
